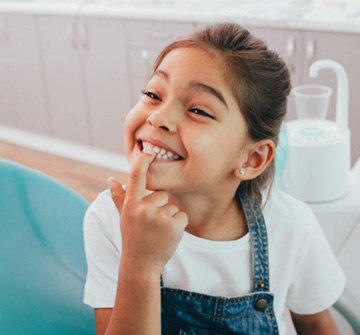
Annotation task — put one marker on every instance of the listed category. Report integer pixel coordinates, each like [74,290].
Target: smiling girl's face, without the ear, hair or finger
[189,110]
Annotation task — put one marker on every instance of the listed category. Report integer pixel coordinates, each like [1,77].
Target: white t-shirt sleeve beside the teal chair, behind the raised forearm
[102,250]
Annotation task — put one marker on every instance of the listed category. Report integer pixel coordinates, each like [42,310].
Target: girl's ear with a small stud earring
[259,156]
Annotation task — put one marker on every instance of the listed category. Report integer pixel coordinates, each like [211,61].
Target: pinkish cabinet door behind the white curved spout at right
[343,48]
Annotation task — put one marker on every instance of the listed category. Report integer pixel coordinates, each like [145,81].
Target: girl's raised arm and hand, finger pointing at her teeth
[151,229]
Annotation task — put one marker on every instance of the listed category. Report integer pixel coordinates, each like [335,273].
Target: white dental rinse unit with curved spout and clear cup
[318,163]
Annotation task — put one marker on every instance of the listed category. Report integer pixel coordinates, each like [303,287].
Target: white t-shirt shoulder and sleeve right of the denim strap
[300,256]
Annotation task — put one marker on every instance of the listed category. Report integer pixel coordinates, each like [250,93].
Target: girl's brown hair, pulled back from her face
[258,77]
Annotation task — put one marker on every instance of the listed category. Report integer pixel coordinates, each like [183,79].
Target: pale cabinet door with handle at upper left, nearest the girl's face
[104,55]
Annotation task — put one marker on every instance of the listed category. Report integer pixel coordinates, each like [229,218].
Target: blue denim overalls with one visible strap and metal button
[190,313]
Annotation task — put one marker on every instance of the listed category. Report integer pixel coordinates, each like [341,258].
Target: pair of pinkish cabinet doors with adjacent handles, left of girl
[86,77]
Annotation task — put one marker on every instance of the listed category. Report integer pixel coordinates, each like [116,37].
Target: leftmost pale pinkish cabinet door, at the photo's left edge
[26,87]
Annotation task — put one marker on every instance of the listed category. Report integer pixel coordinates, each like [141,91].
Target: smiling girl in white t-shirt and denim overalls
[205,252]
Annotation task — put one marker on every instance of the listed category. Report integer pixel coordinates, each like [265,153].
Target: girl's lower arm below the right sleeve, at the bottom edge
[315,324]
